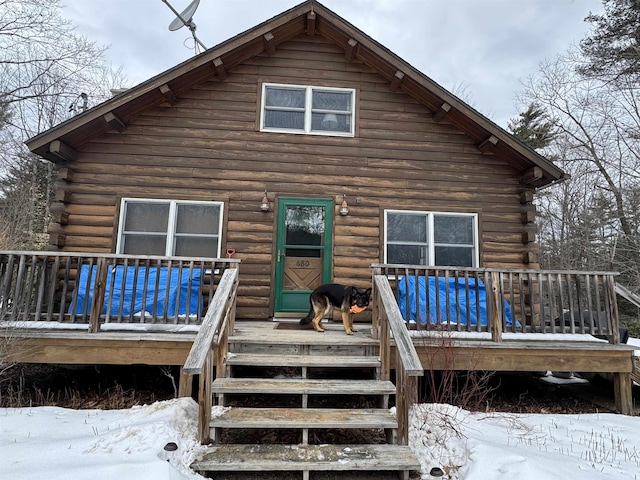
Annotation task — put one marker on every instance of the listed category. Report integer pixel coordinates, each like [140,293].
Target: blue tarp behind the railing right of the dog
[443,285]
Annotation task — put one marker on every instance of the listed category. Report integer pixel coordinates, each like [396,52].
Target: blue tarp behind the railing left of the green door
[168,281]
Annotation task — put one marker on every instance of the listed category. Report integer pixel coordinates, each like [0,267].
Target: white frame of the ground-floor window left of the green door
[171,224]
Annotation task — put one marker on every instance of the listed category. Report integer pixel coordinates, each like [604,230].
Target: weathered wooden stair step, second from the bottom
[237,417]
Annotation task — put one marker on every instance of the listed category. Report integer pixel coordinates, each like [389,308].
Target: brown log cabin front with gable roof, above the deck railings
[263,137]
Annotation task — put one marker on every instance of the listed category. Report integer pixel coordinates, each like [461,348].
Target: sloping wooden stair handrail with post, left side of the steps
[212,336]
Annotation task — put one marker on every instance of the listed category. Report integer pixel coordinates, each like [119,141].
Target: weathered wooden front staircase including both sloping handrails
[339,382]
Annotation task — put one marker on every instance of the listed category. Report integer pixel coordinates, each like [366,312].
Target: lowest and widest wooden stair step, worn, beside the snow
[306,458]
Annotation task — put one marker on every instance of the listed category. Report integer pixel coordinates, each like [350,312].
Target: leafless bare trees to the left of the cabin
[45,68]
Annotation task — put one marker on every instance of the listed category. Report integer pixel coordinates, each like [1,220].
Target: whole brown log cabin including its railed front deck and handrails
[297,153]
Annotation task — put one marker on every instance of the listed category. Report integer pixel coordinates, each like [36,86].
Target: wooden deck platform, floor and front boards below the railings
[123,347]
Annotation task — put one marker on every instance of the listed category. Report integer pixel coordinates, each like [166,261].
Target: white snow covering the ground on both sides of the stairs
[56,443]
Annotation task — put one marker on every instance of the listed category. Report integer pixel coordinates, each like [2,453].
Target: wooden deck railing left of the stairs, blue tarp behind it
[98,289]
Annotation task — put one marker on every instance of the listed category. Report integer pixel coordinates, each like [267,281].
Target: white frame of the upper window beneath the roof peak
[309,89]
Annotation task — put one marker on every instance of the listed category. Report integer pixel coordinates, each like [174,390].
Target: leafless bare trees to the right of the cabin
[591,220]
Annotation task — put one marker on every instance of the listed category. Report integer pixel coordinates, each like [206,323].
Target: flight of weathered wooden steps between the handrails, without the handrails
[324,386]
